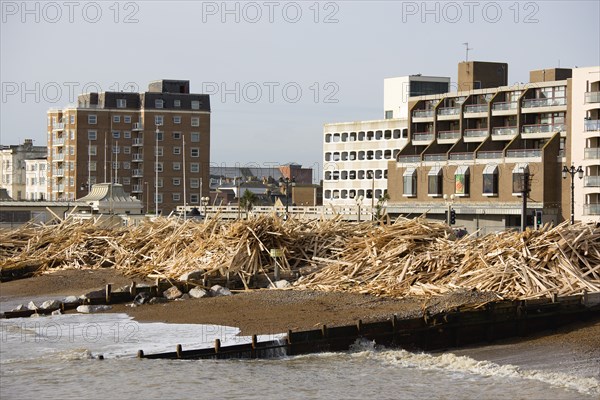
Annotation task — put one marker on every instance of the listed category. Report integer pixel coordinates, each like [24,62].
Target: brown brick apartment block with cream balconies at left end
[156,144]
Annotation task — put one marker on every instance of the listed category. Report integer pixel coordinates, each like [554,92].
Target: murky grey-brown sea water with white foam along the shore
[56,357]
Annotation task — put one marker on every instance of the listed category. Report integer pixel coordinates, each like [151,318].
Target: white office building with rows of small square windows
[356,154]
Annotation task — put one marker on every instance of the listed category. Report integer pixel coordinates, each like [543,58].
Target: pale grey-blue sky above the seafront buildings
[277,71]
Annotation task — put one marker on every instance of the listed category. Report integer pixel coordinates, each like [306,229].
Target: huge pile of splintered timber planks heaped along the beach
[409,257]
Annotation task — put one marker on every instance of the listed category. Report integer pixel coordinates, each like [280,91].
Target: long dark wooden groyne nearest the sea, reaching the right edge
[460,327]
